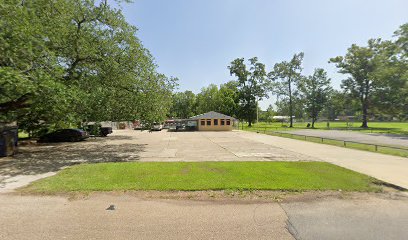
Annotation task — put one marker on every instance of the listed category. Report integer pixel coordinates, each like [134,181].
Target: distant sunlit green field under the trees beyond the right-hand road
[374,127]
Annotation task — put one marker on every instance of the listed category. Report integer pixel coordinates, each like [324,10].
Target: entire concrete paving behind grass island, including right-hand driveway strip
[40,160]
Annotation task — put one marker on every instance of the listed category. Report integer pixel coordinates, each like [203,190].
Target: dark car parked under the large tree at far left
[65,135]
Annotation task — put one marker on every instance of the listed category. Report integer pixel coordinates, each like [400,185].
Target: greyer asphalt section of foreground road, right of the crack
[373,218]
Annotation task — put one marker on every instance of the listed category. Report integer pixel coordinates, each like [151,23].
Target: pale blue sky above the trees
[195,40]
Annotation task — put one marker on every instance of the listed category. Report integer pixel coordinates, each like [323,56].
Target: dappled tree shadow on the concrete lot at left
[43,158]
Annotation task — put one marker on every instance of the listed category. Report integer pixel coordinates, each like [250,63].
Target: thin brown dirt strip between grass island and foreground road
[239,196]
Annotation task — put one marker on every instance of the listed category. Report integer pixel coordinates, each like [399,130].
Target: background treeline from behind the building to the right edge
[375,85]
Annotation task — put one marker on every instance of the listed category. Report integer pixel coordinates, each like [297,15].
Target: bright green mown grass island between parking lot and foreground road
[190,176]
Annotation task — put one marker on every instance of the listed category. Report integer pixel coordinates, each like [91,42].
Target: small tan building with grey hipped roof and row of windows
[213,121]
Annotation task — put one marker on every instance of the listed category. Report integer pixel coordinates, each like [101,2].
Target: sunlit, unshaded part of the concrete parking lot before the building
[208,146]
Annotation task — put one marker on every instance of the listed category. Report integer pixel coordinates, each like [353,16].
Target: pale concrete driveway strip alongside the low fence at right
[387,168]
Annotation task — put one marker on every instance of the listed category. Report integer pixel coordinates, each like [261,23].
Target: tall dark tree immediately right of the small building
[252,86]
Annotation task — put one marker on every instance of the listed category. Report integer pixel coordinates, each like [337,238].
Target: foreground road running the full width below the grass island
[355,216]
